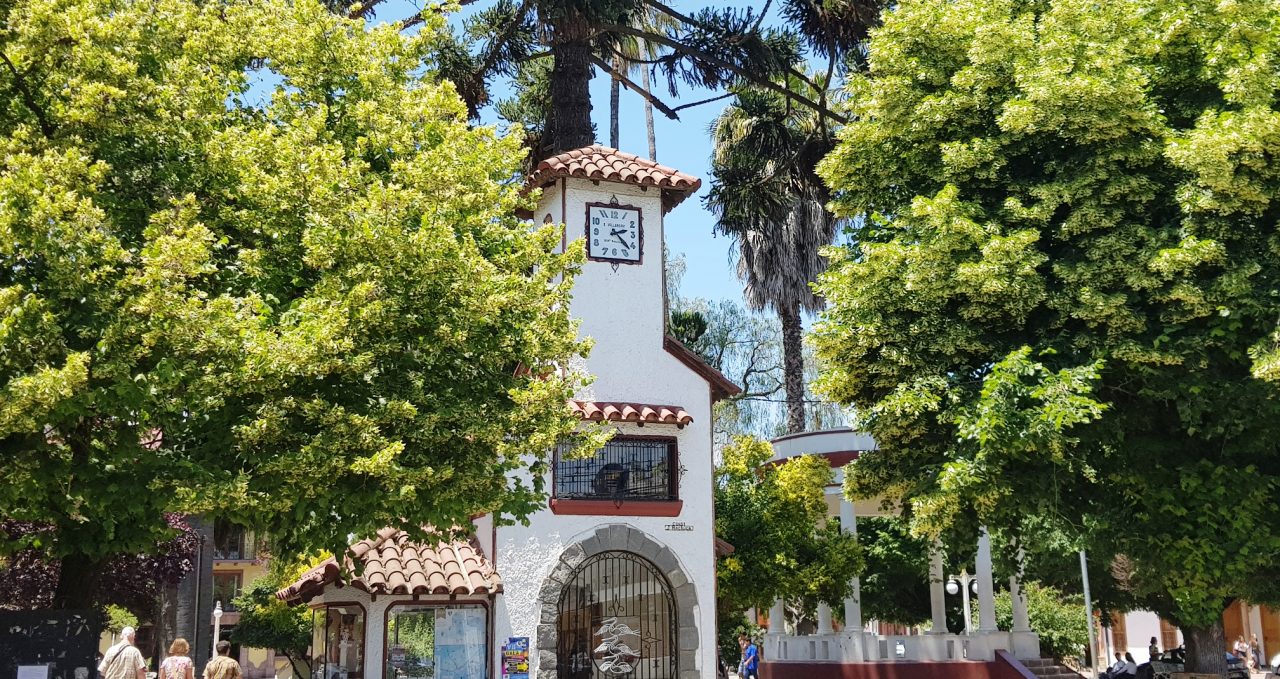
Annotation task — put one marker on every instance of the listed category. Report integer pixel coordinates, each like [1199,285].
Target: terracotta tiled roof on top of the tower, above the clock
[607,165]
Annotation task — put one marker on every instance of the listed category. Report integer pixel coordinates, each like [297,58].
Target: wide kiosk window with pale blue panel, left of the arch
[427,641]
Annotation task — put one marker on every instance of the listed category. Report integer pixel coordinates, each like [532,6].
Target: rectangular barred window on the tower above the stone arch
[627,468]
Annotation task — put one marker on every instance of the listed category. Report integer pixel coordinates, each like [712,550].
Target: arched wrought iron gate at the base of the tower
[618,621]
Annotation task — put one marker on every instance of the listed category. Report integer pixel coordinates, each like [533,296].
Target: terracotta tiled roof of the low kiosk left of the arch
[395,564]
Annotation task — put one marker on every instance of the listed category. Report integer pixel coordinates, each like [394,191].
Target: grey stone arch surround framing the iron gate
[607,539]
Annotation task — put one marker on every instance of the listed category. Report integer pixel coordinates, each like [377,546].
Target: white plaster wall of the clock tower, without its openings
[623,311]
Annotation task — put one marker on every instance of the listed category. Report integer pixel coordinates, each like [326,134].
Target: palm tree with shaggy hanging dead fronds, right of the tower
[770,200]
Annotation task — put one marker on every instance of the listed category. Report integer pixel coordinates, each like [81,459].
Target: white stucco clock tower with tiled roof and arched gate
[619,573]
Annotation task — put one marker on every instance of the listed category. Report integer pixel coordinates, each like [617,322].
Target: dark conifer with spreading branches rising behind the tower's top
[714,48]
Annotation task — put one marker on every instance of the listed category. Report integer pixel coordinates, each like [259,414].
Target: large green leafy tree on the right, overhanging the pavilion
[1064,293]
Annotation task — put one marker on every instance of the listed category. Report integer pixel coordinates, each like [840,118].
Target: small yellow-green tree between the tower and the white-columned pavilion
[776,518]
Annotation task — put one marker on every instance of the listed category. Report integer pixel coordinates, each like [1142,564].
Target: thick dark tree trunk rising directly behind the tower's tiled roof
[572,85]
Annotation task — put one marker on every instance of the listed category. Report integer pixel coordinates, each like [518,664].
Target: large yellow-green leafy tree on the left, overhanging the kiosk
[257,263]
